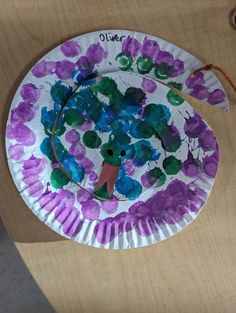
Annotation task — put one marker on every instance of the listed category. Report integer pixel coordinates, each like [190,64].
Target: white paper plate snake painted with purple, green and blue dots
[105,154]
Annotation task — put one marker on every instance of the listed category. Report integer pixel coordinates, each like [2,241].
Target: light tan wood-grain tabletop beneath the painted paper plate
[194,271]
